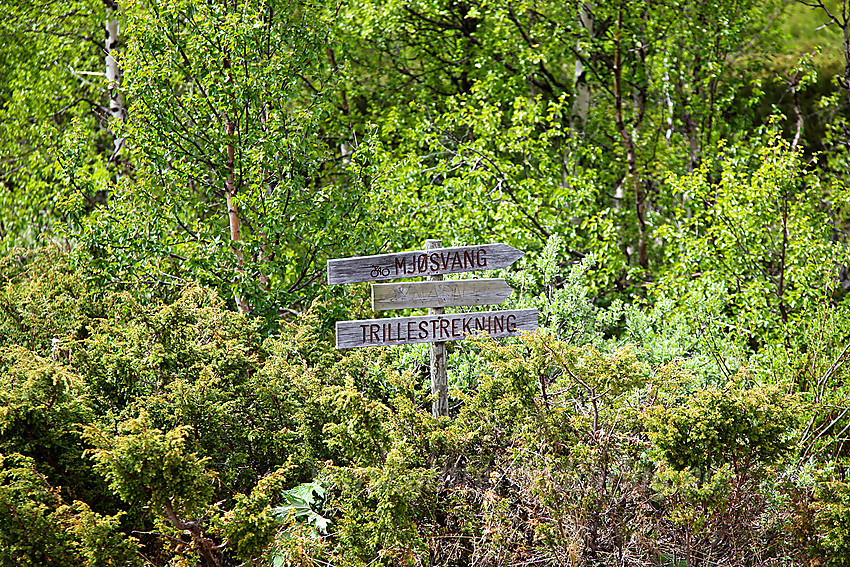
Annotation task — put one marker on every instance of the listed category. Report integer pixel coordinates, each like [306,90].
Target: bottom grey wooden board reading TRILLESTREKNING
[433,328]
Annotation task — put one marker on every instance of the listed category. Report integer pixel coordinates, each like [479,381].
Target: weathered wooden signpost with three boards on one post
[435,294]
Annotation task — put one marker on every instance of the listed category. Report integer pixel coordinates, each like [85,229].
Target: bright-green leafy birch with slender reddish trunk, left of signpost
[235,184]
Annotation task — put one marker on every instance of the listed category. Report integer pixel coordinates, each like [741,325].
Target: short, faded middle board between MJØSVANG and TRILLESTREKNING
[446,293]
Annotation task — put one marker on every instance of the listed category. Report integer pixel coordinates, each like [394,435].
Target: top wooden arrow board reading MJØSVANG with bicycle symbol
[421,263]
